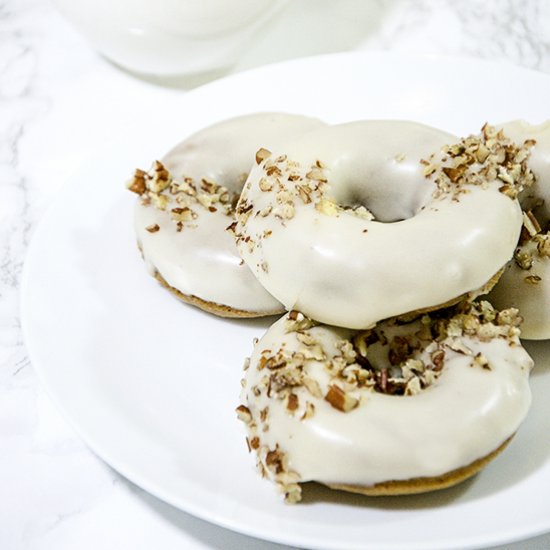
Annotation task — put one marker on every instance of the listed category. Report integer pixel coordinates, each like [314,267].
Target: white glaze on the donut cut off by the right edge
[514,288]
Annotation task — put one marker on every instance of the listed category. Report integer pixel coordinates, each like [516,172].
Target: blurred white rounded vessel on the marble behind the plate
[170,37]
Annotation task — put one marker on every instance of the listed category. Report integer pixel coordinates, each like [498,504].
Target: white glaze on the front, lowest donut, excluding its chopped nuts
[464,415]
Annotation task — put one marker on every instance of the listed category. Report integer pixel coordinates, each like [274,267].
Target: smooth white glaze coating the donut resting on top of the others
[348,271]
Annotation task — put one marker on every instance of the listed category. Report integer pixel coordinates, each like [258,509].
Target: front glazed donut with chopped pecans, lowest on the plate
[401,408]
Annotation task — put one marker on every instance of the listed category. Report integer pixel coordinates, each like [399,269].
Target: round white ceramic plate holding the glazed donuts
[151,384]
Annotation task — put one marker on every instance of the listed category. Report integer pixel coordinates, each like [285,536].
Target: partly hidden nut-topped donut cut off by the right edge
[525,283]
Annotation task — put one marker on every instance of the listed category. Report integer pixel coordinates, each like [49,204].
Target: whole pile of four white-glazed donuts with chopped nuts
[404,261]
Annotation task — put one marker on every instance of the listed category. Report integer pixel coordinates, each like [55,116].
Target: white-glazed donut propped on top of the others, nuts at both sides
[354,223]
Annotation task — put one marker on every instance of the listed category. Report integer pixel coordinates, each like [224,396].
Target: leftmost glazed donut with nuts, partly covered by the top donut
[187,202]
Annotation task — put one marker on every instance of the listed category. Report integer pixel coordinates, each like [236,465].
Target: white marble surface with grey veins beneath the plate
[58,100]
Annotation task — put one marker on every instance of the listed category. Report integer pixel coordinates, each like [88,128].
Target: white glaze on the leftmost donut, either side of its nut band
[202,260]
